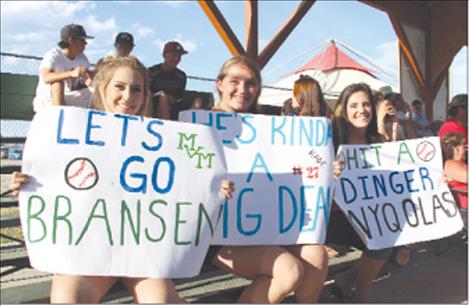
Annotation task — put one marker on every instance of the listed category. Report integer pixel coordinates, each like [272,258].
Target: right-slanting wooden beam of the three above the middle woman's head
[286,29]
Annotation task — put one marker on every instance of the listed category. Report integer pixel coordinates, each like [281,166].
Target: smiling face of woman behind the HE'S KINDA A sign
[238,90]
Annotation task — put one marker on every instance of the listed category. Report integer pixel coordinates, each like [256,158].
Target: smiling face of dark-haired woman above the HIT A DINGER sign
[359,110]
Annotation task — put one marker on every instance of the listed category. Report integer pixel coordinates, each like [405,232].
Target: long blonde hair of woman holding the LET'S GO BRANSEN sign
[106,70]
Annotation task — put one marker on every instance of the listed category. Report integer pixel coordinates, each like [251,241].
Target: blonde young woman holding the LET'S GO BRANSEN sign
[121,86]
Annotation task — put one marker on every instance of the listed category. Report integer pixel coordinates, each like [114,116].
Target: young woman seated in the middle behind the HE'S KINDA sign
[276,271]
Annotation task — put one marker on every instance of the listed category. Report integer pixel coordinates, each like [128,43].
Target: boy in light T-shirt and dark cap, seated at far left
[64,71]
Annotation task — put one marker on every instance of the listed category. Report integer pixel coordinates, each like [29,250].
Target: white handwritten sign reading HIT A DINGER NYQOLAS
[394,194]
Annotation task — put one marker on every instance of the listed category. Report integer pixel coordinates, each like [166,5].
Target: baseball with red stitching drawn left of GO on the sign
[81,174]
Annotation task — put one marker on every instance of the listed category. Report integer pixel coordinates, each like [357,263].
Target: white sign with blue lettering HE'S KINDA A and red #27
[282,168]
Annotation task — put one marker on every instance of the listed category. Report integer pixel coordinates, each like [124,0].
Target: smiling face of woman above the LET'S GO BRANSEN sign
[125,92]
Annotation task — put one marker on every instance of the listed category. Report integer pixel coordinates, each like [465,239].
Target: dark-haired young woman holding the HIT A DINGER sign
[358,121]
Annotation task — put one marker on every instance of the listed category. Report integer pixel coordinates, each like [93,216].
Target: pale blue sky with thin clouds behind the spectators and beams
[32,28]
